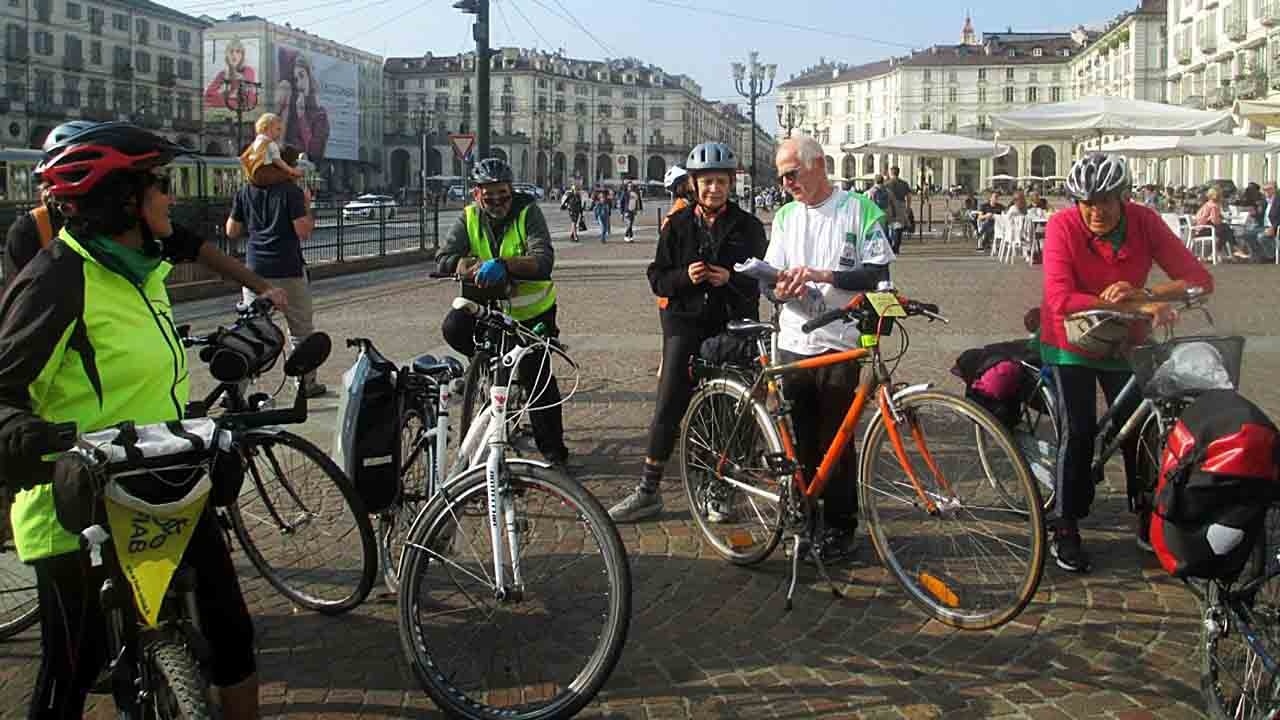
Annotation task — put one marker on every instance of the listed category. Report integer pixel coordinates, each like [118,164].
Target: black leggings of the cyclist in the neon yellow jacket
[74,630]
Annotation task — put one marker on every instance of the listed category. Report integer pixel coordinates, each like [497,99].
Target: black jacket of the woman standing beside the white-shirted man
[735,238]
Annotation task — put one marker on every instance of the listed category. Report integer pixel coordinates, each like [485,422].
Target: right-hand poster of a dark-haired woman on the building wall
[318,98]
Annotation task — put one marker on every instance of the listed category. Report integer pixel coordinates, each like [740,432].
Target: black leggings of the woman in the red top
[1076,389]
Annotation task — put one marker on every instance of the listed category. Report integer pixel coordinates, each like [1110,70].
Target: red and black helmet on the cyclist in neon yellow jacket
[75,167]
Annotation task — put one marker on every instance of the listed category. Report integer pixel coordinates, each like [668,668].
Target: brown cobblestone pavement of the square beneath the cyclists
[710,640]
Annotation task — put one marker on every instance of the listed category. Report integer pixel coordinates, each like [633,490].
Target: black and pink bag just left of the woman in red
[996,379]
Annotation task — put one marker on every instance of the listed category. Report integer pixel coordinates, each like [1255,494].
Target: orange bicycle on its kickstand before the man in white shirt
[739,459]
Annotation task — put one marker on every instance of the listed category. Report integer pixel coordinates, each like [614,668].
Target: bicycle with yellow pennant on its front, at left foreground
[143,512]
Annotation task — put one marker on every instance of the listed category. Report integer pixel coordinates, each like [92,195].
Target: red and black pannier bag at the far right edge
[1218,479]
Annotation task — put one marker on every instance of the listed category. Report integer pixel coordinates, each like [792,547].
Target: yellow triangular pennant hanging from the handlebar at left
[150,548]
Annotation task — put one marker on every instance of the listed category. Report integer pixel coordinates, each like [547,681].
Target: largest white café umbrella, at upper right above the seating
[1099,116]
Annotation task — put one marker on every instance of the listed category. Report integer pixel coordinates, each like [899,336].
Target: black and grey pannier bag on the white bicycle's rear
[368,444]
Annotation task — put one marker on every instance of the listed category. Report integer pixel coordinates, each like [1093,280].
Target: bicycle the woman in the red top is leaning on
[1037,432]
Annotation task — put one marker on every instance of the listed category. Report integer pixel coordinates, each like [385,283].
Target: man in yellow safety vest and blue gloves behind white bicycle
[502,241]
